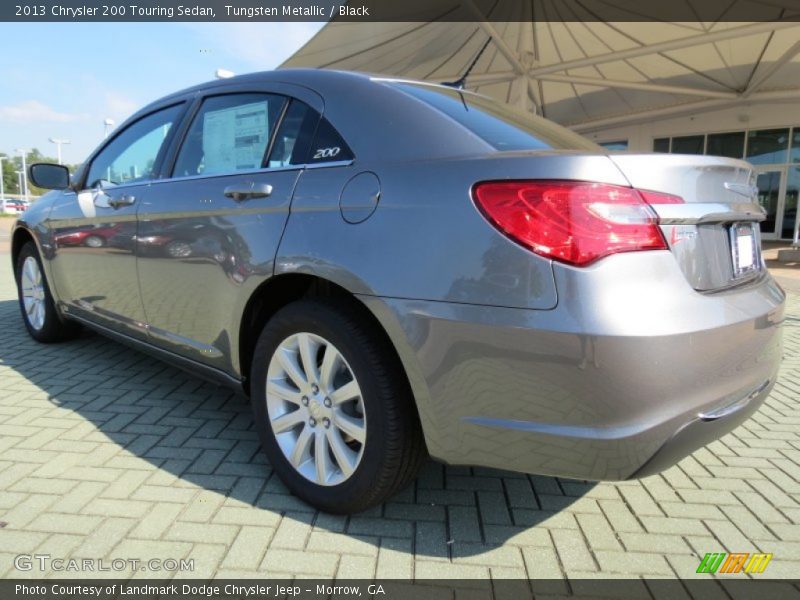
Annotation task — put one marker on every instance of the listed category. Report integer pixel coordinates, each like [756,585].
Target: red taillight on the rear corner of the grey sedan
[575,222]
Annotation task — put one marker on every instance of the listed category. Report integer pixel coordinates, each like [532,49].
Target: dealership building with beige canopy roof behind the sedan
[723,88]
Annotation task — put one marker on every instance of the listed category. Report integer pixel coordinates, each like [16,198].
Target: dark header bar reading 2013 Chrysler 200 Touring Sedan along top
[706,11]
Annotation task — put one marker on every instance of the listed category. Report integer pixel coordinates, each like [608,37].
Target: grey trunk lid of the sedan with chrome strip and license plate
[714,232]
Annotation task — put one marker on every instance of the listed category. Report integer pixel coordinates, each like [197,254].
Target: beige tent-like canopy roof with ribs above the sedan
[586,75]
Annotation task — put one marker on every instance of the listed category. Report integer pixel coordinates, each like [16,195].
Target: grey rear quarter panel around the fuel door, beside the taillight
[426,240]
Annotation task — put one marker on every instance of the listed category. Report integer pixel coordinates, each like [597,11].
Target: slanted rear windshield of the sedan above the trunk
[499,125]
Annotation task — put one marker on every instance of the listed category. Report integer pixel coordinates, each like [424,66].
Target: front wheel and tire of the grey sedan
[39,313]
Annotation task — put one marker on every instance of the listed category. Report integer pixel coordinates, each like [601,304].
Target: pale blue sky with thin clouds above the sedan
[62,80]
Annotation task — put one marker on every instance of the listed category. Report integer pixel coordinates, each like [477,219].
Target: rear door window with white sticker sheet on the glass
[229,133]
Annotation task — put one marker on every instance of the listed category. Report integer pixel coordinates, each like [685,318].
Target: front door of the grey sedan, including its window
[94,230]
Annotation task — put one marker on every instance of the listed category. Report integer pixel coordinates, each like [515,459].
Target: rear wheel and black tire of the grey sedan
[380,409]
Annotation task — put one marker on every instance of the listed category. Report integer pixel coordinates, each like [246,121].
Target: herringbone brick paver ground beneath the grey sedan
[107,453]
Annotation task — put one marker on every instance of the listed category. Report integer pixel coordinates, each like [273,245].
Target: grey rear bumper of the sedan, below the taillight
[589,389]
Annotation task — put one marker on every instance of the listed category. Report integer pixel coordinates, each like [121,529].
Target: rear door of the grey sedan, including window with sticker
[209,233]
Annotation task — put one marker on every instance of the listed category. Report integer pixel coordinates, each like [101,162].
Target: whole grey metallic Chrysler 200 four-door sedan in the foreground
[393,268]
